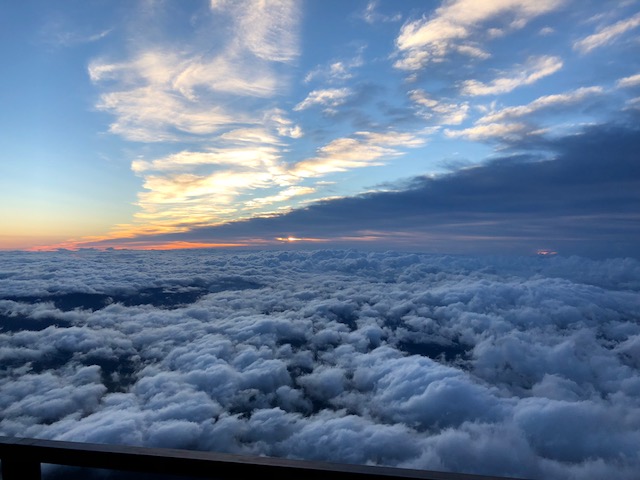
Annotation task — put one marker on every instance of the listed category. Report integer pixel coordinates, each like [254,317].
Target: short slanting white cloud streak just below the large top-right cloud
[533,70]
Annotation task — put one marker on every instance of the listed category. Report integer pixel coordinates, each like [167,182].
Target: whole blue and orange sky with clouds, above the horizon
[459,126]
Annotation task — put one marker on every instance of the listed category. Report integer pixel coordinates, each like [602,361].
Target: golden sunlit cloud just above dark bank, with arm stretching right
[206,188]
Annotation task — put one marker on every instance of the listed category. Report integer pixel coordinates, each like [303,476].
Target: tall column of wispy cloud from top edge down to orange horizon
[217,90]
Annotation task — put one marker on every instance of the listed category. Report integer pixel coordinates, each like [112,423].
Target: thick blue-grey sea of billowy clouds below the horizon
[520,366]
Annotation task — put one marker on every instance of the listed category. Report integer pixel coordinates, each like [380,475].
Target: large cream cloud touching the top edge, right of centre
[455,26]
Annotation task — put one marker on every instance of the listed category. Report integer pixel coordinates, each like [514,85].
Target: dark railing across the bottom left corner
[21,459]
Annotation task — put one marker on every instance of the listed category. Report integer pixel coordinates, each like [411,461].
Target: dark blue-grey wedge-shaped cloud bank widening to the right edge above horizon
[578,194]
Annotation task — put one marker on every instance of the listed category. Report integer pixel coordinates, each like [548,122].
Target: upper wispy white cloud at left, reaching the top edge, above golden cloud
[166,90]
